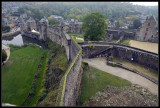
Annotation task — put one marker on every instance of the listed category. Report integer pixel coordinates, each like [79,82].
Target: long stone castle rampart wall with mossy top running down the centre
[73,75]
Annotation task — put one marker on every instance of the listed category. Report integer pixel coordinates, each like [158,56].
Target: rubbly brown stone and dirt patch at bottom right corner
[133,95]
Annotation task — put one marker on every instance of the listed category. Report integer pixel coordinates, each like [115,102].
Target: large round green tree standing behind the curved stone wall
[94,26]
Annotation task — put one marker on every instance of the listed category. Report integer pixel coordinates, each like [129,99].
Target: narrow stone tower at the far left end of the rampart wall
[43,29]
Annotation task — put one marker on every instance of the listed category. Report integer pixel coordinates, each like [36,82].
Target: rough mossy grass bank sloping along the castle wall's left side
[57,64]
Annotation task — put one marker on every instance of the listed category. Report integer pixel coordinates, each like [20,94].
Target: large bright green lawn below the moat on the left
[17,78]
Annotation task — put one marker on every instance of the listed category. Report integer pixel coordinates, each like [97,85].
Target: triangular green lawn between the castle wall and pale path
[95,80]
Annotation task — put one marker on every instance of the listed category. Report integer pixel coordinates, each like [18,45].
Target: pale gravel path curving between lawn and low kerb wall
[100,63]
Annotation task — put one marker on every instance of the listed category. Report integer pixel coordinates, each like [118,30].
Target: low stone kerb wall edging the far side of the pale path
[132,70]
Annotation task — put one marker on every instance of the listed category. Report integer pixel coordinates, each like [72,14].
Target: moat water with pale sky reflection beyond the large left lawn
[20,40]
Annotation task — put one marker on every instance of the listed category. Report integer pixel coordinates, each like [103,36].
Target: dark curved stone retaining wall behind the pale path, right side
[146,58]
